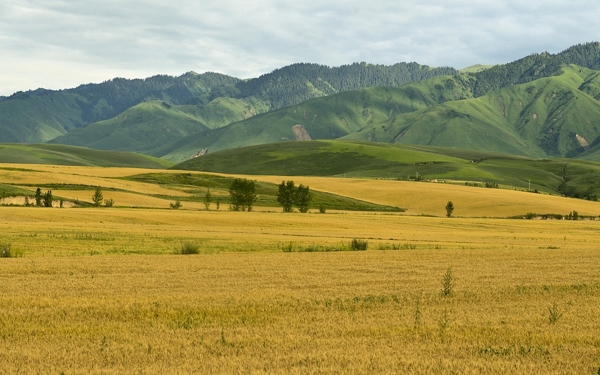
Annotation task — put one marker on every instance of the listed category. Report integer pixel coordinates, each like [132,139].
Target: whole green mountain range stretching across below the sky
[543,105]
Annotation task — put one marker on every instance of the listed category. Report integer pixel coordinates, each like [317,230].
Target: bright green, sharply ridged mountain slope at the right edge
[539,118]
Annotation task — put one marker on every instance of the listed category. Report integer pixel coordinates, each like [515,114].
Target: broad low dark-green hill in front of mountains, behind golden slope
[574,178]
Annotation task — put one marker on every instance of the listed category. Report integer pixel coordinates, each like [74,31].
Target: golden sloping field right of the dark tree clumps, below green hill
[431,198]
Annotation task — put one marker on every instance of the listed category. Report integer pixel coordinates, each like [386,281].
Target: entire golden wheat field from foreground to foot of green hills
[103,290]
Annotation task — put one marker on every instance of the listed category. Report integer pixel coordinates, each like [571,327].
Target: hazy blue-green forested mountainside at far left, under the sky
[41,115]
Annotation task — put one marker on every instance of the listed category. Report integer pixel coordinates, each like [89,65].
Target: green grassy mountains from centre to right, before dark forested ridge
[554,116]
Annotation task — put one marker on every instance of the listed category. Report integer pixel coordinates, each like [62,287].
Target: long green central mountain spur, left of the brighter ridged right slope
[324,118]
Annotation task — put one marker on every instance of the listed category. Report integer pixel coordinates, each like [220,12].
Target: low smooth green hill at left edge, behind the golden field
[71,155]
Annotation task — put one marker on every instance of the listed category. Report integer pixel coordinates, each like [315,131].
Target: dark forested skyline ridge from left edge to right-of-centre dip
[42,115]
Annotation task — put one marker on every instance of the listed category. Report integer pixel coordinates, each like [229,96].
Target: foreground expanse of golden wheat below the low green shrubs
[298,313]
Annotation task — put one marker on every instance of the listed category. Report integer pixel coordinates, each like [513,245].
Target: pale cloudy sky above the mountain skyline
[64,43]
